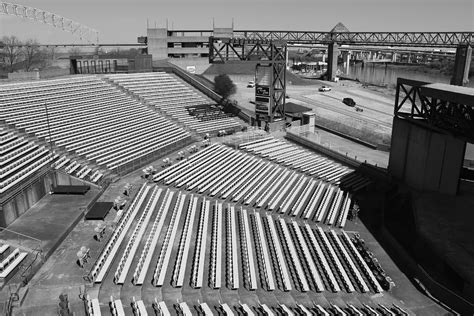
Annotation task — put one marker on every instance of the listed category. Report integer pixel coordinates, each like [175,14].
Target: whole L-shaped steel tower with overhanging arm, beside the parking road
[270,71]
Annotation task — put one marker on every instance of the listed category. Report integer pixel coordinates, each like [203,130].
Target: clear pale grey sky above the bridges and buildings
[121,21]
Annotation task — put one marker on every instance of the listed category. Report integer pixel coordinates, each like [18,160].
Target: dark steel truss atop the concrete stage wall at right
[449,112]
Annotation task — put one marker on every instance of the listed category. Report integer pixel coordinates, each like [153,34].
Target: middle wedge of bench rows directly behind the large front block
[222,172]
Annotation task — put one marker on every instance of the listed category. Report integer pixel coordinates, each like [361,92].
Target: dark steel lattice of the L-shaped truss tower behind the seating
[270,54]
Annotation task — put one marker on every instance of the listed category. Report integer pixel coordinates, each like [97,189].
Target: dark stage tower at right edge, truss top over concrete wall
[432,123]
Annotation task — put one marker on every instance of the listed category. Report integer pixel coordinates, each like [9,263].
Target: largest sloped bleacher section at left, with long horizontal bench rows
[96,123]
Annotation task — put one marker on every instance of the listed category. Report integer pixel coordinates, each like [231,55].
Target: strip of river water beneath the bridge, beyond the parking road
[387,74]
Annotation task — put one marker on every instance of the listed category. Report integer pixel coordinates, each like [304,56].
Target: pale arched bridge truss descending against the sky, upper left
[83,32]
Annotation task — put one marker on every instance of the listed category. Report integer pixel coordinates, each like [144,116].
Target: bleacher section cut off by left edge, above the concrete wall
[20,158]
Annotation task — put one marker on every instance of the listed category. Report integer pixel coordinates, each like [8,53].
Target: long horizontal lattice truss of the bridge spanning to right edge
[416,39]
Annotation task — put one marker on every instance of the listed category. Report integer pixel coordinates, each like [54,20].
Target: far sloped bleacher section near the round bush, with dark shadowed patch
[170,95]
